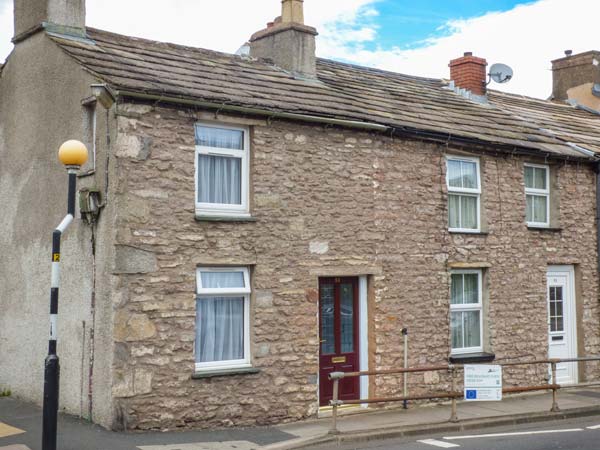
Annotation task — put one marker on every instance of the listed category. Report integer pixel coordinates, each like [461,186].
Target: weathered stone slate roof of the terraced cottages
[342,91]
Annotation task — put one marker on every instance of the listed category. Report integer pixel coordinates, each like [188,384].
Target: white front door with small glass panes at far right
[562,326]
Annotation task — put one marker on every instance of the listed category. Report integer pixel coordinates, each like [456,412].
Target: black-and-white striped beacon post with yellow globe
[73,154]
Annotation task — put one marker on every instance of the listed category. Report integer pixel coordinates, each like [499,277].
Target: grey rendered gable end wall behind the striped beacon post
[40,107]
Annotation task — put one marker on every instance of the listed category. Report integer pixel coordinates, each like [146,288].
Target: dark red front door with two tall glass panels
[338,316]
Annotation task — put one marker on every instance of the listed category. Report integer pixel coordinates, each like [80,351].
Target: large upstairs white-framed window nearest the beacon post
[222,170]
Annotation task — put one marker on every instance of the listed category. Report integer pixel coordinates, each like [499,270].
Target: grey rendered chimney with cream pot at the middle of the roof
[288,42]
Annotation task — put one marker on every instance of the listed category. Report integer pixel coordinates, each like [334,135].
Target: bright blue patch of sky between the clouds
[407,23]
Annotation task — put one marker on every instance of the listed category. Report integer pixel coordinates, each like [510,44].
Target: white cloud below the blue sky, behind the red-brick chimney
[527,38]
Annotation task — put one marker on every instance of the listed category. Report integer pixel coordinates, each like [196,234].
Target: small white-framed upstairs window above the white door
[537,195]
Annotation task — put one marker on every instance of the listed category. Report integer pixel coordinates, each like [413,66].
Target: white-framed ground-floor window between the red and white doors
[466,310]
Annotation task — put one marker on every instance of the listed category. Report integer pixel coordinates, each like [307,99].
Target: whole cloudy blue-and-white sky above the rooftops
[417,37]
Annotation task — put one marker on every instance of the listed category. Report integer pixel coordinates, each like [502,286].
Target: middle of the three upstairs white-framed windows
[464,193]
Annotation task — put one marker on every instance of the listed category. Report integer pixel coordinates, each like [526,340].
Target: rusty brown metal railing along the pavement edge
[453,394]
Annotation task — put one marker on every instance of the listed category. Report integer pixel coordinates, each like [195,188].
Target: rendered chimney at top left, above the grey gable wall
[67,16]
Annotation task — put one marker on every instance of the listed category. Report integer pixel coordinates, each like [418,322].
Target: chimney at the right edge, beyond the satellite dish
[577,78]
